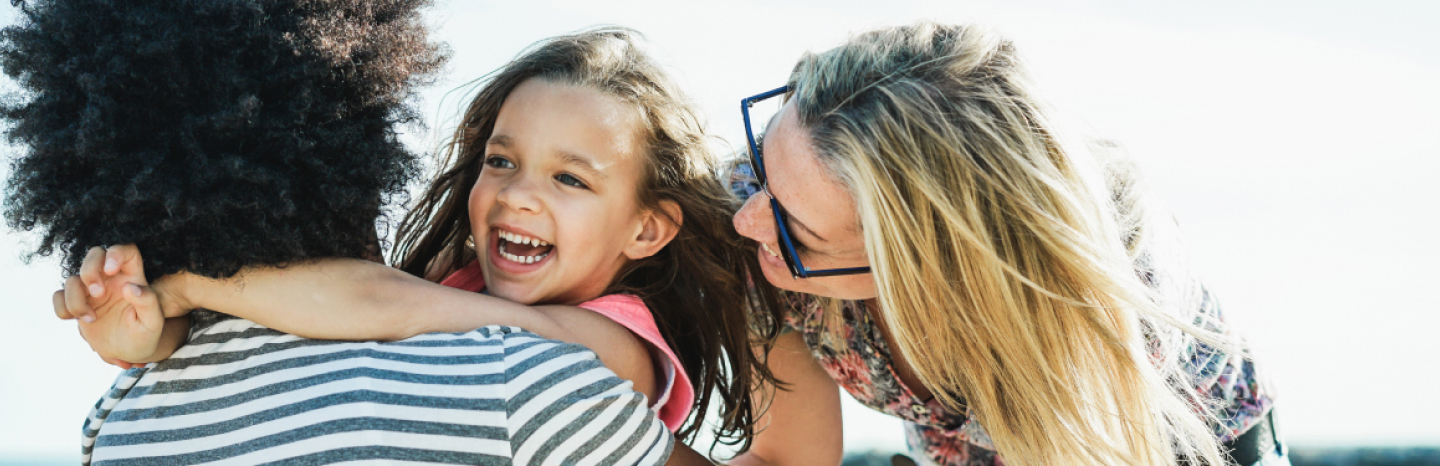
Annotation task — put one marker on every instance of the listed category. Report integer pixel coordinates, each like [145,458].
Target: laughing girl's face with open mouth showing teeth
[555,206]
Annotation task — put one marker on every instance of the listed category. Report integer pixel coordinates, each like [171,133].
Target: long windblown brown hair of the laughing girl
[698,287]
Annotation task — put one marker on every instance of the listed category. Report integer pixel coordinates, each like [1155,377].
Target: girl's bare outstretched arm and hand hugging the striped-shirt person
[356,300]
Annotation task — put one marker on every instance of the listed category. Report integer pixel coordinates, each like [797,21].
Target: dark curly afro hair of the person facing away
[214,134]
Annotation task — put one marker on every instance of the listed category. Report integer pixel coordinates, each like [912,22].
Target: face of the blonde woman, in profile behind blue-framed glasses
[823,216]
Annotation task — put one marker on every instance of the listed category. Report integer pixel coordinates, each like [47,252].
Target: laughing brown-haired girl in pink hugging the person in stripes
[578,202]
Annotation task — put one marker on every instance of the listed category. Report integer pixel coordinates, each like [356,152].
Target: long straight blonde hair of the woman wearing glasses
[1013,277]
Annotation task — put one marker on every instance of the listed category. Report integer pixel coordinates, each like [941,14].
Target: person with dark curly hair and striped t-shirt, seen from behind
[228,134]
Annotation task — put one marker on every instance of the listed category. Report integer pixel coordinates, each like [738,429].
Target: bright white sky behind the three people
[1297,143]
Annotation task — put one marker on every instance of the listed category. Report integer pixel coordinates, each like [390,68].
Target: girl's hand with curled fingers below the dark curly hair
[120,316]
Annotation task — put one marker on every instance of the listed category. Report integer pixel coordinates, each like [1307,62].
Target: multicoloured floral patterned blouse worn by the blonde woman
[863,365]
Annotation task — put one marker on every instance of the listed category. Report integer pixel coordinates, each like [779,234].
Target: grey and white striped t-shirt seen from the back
[246,395]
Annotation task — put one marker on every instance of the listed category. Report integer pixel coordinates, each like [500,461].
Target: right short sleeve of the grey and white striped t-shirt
[565,408]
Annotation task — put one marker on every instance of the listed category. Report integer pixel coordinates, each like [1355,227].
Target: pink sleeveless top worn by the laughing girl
[676,396]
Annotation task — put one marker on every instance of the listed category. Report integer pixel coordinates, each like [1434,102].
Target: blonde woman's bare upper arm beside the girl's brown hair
[803,424]
